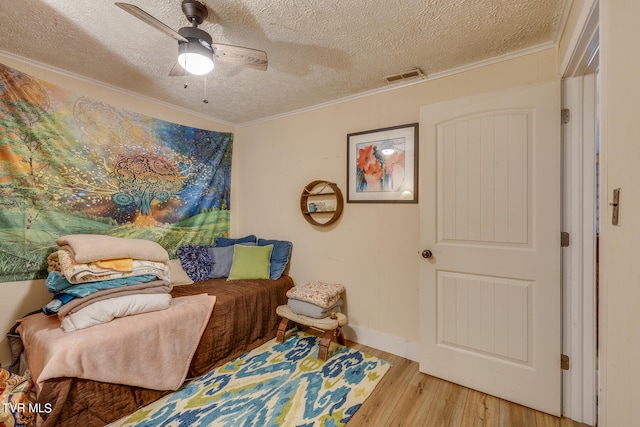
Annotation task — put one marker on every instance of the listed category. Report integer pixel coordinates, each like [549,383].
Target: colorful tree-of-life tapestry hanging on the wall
[70,164]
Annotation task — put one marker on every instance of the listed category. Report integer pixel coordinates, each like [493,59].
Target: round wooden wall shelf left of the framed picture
[323,191]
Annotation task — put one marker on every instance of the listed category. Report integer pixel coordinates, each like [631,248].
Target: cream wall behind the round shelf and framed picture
[373,250]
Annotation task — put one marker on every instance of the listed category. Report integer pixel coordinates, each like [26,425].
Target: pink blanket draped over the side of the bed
[151,350]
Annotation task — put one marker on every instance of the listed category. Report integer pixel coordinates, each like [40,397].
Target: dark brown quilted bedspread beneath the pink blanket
[244,317]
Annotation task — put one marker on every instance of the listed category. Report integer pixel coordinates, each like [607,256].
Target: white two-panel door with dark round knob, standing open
[490,291]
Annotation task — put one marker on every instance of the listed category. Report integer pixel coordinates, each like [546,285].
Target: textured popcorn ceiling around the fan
[318,50]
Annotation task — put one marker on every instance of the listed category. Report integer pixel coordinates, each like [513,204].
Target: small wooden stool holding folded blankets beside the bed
[331,327]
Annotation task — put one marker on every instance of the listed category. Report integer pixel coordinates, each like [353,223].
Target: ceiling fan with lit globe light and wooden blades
[196,49]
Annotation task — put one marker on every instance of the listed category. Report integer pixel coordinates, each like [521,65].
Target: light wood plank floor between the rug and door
[407,397]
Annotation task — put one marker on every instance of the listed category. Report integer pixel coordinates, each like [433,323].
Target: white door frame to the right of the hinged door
[580,382]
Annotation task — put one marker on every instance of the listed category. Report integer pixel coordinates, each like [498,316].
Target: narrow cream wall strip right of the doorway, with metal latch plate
[620,245]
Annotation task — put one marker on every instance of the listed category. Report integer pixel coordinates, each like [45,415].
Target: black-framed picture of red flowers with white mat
[382,165]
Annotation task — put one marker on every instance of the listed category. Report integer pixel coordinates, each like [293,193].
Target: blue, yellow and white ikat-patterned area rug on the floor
[277,384]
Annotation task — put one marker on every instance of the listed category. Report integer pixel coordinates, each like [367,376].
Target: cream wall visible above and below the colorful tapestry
[19,298]
